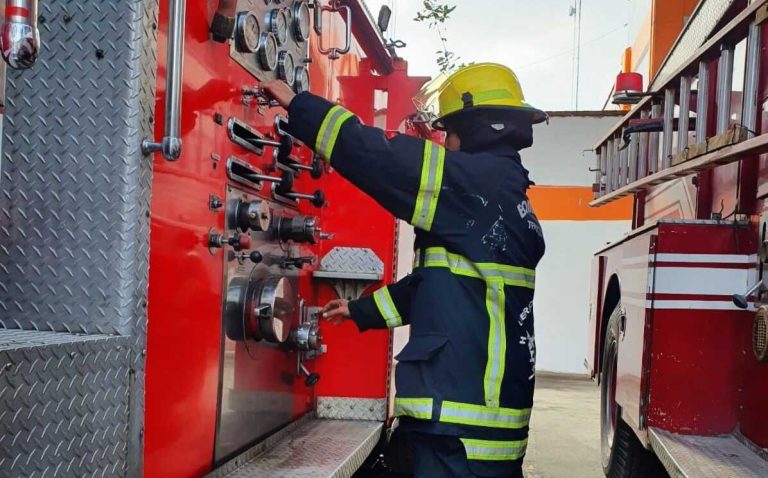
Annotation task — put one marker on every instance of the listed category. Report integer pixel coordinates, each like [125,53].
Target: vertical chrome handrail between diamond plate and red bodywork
[170,145]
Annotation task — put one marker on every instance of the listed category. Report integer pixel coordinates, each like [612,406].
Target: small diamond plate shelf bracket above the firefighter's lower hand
[351,263]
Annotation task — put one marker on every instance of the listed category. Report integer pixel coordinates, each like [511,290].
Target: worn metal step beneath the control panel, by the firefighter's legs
[309,448]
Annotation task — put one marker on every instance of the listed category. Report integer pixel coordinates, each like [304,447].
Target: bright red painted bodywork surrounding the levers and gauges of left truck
[184,347]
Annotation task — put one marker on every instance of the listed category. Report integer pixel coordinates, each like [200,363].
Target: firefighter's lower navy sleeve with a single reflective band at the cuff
[388,307]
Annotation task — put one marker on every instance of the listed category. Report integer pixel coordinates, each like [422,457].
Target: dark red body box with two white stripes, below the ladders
[687,370]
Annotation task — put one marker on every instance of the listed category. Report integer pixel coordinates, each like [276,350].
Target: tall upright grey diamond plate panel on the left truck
[74,185]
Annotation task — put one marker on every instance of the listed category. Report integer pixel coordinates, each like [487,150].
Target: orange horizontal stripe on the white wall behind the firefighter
[566,203]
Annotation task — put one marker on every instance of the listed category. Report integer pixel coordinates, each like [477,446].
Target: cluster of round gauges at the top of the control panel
[271,40]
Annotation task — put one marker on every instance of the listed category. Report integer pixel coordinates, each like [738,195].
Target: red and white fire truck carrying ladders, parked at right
[679,321]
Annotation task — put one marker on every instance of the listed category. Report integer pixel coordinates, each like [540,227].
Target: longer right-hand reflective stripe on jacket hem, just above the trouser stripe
[482,416]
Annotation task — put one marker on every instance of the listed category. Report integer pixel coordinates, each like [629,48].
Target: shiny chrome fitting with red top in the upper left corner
[20,39]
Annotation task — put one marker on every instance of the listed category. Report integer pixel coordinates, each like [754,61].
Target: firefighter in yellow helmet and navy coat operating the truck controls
[465,379]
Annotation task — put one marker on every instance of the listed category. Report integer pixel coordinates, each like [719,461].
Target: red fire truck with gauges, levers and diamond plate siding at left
[165,245]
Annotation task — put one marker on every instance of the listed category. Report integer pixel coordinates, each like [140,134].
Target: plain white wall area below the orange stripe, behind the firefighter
[561,305]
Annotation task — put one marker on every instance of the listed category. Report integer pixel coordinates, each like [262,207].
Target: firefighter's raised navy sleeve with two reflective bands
[417,181]
